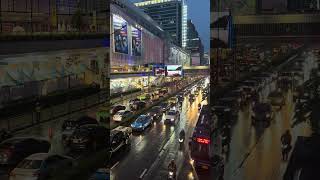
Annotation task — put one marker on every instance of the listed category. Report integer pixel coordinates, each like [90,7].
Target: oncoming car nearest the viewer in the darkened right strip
[262,114]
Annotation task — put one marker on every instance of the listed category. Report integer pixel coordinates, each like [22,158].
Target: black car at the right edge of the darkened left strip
[89,137]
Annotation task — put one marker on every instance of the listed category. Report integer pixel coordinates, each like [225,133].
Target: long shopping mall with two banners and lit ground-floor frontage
[137,42]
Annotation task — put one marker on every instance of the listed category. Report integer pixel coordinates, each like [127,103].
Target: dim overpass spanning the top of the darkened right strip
[283,26]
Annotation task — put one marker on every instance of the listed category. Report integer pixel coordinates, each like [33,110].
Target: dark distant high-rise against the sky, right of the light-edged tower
[194,44]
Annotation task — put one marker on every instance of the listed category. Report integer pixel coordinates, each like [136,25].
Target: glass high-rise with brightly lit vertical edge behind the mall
[171,15]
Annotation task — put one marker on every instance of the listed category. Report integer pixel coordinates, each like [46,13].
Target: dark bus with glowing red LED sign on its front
[205,144]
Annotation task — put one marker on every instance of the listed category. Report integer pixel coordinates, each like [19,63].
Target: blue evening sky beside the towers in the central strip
[199,13]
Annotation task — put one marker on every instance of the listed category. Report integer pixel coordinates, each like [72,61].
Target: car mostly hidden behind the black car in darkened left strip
[69,126]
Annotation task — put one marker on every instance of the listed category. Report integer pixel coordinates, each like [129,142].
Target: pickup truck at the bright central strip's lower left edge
[120,137]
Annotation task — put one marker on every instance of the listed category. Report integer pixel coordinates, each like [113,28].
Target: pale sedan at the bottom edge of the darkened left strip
[41,166]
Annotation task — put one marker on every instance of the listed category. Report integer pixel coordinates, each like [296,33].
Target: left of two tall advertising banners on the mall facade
[120,35]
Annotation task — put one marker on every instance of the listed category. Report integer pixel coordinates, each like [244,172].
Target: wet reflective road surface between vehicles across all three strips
[254,152]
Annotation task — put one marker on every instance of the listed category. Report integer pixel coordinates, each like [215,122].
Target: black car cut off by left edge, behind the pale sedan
[14,150]
